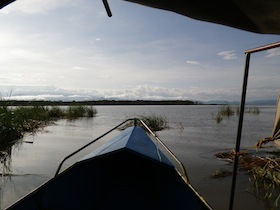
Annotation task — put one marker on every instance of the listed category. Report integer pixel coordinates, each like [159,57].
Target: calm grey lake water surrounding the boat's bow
[193,136]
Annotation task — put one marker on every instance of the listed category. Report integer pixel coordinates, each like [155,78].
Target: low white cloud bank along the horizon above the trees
[144,92]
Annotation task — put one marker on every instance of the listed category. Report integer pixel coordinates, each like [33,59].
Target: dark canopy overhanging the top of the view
[259,16]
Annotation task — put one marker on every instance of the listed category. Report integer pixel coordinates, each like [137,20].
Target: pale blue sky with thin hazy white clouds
[71,50]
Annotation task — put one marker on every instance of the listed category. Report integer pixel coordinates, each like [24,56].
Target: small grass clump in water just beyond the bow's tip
[153,121]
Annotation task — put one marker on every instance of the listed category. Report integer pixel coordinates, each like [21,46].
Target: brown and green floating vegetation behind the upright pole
[264,173]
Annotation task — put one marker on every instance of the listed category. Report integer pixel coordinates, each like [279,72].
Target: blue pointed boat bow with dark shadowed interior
[128,172]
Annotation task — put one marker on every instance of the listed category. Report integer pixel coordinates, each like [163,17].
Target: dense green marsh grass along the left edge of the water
[16,121]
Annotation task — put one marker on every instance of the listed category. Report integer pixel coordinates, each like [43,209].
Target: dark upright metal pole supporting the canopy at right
[239,131]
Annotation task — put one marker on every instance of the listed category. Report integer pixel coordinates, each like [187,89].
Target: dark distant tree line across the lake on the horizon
[97,102]
